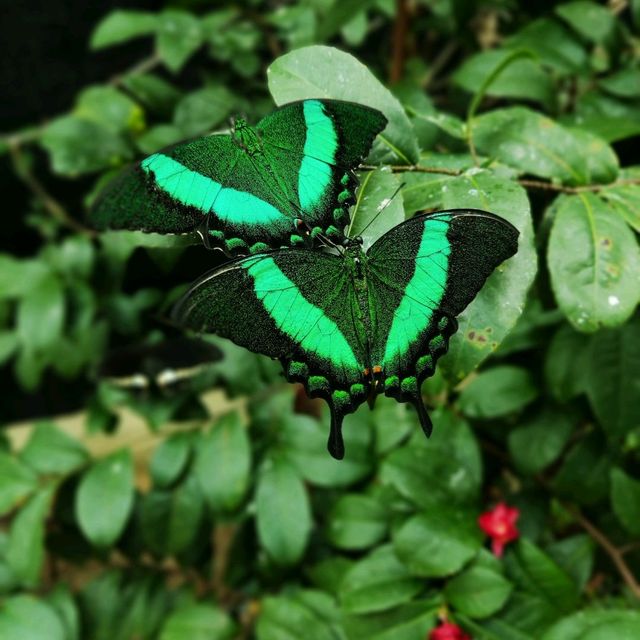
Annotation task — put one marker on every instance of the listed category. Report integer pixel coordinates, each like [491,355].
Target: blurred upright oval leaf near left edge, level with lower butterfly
[41,314]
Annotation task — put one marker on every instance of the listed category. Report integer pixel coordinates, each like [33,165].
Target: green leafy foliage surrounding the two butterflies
[237,523]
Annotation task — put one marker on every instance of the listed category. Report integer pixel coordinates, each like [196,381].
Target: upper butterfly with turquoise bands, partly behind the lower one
[284,182]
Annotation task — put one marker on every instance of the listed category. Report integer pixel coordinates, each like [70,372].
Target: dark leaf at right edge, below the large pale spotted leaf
[613,377]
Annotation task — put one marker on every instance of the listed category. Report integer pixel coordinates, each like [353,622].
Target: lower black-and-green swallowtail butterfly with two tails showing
[355,324]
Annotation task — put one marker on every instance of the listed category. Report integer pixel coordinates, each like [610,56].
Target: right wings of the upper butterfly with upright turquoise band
[313,146]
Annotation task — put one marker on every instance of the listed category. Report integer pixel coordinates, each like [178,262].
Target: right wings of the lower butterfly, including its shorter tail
[422,274]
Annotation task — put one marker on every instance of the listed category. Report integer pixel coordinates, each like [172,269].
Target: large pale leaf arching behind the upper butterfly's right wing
[310,72]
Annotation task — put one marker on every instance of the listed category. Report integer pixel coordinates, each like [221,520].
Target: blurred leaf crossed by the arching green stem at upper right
[523,78]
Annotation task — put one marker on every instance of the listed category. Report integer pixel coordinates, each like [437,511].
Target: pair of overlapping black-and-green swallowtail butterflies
[348,325]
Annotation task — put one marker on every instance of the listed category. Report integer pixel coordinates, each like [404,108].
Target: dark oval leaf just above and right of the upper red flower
[540,440]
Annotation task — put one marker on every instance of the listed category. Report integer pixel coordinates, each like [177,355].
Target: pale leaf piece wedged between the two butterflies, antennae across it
[378,208]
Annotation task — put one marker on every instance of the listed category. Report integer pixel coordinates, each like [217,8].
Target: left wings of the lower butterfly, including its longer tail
[294,305]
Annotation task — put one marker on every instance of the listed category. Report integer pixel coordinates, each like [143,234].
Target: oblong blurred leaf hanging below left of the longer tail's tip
[283,514]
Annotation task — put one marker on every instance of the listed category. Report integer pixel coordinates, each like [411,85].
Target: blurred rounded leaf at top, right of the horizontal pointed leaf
[178,36]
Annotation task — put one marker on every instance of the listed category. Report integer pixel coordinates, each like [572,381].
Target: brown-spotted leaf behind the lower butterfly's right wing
[480,329]
